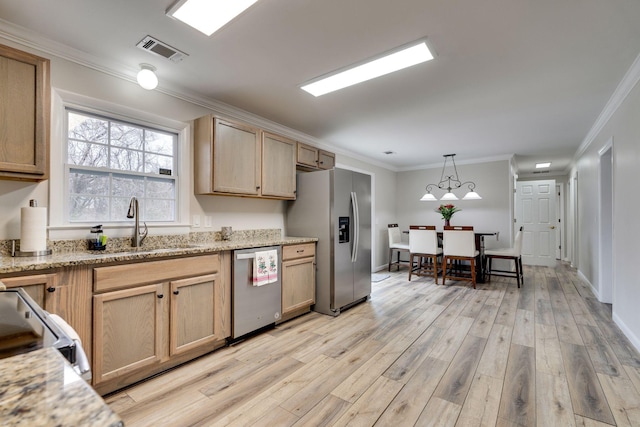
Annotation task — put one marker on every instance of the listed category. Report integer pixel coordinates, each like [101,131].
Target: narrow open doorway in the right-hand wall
[606,279]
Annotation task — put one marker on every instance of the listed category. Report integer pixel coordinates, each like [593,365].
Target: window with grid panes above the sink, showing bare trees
[109,161]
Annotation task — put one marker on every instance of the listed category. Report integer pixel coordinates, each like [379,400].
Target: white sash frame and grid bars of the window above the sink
[110,172]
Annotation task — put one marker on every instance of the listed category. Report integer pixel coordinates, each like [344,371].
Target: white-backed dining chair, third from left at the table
[459,244]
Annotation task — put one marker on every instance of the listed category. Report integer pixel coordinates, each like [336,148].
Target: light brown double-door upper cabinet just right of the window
[236,159]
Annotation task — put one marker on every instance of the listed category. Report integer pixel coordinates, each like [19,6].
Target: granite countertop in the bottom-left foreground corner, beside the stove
[40,388]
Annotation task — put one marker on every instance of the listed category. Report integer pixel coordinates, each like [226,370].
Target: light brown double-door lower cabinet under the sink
[147,328]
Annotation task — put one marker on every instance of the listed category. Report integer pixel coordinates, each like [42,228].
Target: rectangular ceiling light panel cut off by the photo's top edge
[208,16]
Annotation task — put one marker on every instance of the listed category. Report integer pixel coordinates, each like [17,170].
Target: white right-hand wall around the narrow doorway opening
[624,128]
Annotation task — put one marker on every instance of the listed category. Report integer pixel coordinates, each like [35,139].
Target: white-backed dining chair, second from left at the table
[423,244]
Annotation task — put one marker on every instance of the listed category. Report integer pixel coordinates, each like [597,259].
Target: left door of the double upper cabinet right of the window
[236,158]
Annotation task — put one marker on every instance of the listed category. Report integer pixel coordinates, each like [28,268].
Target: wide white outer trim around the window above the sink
[59,229]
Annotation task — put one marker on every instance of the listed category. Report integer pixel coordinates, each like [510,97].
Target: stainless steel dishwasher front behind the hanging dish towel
[253,307]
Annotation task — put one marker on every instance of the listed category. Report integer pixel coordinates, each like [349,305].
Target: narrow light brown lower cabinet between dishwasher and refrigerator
[298,279]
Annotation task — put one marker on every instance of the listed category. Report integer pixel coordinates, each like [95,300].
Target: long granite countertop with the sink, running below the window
[64,258]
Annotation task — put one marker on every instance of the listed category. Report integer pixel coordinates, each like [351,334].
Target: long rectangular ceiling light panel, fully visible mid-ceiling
[388,63]
